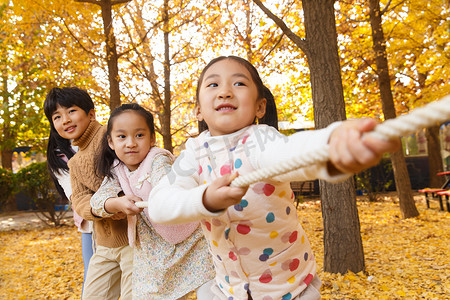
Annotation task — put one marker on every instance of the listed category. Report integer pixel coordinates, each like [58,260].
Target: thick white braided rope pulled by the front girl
[432,114]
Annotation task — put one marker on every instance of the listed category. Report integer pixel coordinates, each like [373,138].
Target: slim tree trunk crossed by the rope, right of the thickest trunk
[403,184]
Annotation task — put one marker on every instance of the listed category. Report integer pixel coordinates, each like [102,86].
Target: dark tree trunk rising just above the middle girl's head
[111,54]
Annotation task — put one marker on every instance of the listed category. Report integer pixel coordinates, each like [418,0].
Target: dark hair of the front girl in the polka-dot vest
[270,118]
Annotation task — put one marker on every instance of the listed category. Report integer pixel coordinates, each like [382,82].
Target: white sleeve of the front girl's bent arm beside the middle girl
[178,197]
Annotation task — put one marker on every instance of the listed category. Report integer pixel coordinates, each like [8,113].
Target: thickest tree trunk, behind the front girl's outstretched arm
[343,248]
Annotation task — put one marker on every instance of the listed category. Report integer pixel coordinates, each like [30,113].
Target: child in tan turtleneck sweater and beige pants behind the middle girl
[109,272]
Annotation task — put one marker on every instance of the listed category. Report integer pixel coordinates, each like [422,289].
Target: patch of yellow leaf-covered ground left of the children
[41,264]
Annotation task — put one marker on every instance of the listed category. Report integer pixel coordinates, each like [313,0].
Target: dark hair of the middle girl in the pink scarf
[107,155]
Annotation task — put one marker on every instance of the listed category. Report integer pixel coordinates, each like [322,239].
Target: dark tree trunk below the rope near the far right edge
[434,157]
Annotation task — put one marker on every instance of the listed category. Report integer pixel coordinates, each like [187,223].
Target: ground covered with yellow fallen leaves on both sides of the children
[405,259]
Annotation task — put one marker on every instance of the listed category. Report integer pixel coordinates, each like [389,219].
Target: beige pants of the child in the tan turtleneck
[109,274]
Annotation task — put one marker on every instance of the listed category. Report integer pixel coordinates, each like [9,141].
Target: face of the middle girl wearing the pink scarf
[130,138]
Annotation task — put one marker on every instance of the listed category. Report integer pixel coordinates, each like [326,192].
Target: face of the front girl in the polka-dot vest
[228,98]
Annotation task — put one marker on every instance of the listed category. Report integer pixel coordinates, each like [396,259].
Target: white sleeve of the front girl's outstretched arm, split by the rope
[272,147]
